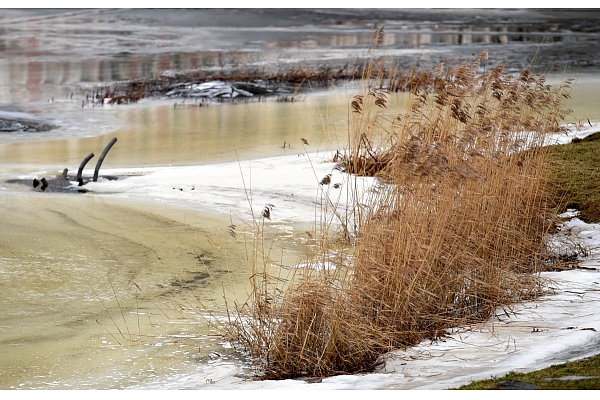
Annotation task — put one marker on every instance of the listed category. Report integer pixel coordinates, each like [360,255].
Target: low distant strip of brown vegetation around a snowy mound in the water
[246,84]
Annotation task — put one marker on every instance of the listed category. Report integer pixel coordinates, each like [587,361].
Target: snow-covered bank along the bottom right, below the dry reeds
[556,328]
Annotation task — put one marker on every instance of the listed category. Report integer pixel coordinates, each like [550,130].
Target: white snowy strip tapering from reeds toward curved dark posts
[290,183]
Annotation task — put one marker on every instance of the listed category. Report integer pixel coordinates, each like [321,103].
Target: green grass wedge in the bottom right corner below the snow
[544,378]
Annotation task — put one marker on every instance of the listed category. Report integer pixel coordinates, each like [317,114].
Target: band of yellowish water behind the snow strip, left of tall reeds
[189,134]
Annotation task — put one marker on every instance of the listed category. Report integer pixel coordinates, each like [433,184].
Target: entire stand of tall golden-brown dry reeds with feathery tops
[453,230]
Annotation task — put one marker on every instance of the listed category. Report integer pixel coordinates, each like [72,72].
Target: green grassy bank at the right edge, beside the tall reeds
[575,177]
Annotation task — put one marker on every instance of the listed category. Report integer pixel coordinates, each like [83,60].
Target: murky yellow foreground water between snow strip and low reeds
[102,293]
